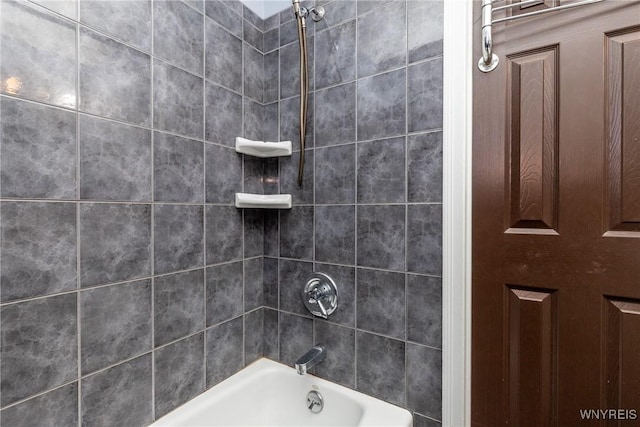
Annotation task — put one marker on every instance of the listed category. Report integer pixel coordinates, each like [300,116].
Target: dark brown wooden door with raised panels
[556,220]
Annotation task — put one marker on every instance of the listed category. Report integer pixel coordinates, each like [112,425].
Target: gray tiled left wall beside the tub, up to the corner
[129,282]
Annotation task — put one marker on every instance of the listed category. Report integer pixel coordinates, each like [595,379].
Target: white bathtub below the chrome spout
[267,393]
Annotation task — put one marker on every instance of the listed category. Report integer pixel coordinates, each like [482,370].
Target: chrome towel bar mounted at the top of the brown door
[489,60]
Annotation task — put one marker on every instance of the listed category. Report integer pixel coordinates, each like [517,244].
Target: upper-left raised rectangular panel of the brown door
[532,140]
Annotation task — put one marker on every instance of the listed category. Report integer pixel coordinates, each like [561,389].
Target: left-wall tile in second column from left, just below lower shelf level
[115,242]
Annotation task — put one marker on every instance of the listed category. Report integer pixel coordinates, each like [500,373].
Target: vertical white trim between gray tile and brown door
[456,238]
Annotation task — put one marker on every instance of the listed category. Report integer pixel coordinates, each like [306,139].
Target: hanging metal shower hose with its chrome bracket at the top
[301,13]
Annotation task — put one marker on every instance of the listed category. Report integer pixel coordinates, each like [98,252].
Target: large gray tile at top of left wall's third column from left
[178,35]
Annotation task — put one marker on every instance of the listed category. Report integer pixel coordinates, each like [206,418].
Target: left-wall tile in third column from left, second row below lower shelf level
[178,306]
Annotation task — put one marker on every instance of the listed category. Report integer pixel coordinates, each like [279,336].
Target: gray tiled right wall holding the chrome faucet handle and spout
[370,211]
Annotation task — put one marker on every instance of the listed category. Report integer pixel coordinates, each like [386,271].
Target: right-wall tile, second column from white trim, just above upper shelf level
[381,105]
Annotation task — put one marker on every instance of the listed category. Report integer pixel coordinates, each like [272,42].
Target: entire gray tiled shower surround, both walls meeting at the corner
[130,283]
